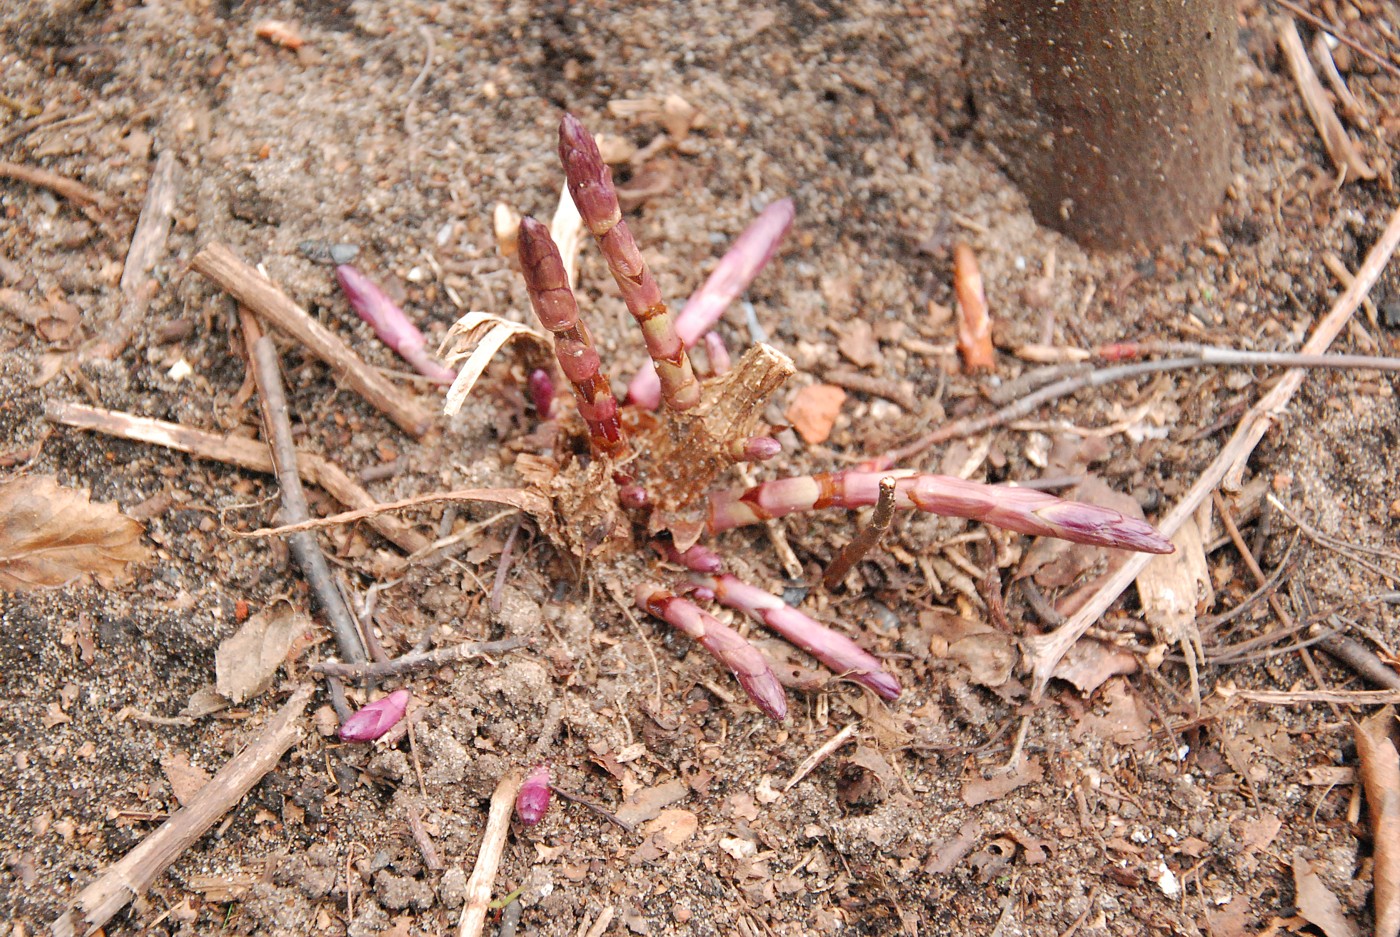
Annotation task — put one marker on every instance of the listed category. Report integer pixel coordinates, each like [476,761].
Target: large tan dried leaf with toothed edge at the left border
[51,536]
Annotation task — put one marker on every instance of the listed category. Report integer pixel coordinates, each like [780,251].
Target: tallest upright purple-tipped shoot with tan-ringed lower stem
[590,184]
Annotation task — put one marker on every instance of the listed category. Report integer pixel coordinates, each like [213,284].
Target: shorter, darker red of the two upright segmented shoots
[558,312]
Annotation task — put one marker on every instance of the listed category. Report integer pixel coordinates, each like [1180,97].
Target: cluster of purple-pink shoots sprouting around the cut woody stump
[671,380]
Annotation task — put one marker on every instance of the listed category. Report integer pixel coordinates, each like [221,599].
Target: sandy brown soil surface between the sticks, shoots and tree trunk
[398,128]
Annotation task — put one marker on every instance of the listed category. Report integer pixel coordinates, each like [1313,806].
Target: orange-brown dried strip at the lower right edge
[1381,781]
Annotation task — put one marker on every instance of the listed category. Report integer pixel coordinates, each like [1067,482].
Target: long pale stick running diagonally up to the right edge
[1044,653]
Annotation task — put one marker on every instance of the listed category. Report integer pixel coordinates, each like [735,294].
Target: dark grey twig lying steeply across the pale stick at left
[278,426]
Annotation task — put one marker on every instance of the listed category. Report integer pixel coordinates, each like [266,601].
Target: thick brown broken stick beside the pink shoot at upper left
[262,296]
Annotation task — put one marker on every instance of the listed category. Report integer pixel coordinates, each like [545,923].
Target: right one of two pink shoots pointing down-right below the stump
[839,653]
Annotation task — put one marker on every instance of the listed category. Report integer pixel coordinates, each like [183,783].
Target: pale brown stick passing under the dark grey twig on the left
[234,450]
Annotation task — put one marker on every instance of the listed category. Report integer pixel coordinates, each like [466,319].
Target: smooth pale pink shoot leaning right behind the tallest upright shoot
[750,254]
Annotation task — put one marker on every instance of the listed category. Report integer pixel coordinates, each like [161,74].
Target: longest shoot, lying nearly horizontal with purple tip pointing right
[1017,509]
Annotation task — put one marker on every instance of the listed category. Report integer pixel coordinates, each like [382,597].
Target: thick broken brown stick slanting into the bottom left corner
[139,869]
